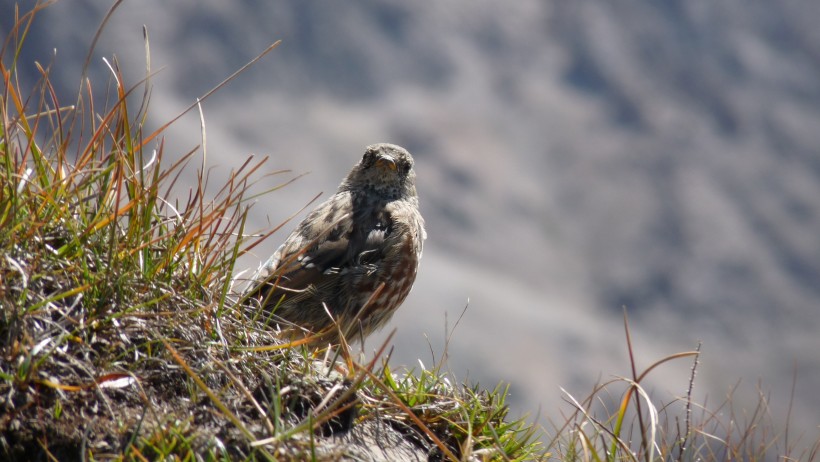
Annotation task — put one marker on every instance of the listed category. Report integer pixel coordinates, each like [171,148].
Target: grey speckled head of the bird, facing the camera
[386,169]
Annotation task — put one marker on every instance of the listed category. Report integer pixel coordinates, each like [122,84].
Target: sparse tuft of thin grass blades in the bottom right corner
[620,420]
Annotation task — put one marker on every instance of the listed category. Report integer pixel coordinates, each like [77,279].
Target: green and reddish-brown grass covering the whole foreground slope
[122,337]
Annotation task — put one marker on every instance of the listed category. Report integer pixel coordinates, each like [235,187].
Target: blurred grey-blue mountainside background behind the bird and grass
[574,158]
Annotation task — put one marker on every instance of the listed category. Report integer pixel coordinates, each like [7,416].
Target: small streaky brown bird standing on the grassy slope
[348,266]
